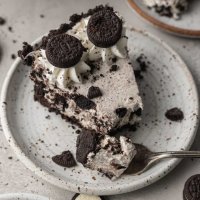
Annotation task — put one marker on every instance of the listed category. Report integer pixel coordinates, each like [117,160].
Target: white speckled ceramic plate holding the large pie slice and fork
[35,139]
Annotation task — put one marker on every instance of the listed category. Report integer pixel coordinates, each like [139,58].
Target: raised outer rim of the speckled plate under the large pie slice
[84,188]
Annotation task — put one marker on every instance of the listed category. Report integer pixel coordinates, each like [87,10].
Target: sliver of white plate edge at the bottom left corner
[22,196]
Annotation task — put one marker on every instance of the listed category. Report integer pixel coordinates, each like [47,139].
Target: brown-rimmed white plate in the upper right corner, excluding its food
[187,25]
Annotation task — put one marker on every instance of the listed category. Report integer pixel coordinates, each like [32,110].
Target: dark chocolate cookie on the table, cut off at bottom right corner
[192,188]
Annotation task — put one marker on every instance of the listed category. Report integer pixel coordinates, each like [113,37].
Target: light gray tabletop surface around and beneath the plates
[24,17]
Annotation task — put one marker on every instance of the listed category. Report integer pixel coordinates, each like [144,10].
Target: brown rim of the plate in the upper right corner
[162,25]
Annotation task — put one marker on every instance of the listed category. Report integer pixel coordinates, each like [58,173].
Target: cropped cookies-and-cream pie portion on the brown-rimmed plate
[175,7]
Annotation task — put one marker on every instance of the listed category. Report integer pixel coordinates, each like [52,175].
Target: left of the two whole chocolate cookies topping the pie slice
[64,51]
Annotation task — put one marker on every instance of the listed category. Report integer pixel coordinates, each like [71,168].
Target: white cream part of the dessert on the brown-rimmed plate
[168,3]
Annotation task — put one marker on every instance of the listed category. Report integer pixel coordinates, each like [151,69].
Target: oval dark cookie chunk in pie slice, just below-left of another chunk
[84,103]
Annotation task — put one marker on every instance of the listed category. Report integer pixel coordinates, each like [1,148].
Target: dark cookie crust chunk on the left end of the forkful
[86,143]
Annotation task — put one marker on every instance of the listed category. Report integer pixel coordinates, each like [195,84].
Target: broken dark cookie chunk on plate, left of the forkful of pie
[66,159]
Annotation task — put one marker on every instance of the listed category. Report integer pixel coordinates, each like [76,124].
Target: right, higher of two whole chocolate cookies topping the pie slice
[104,28]
